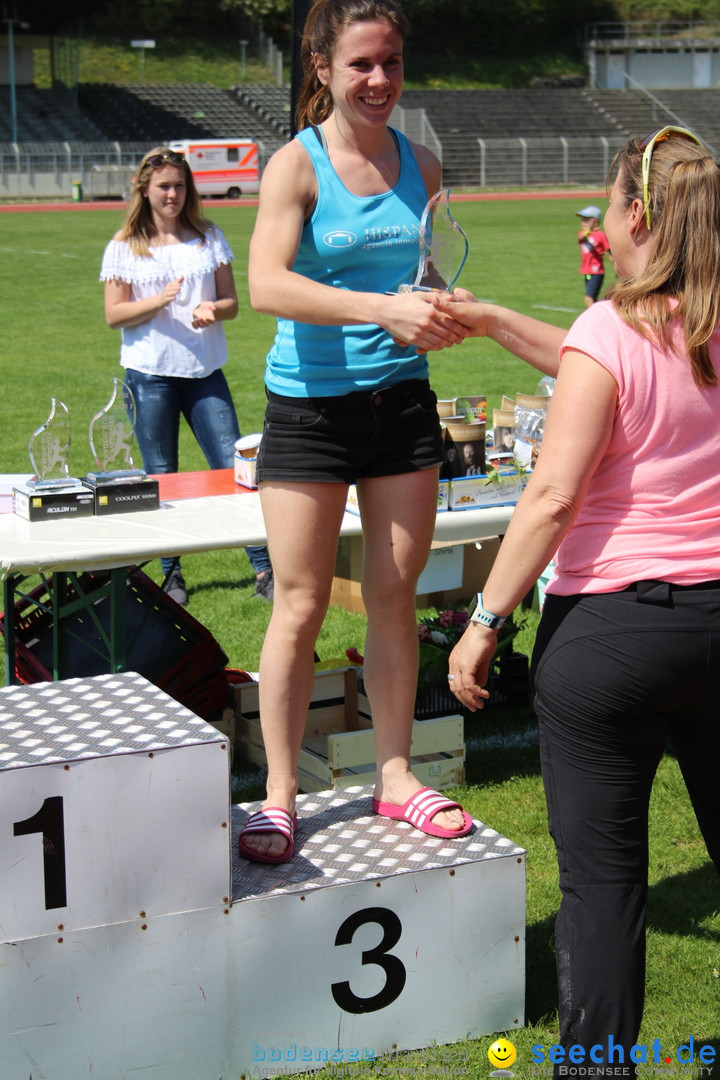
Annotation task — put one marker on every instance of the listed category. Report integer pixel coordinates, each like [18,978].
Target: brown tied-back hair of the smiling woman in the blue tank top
[325,23]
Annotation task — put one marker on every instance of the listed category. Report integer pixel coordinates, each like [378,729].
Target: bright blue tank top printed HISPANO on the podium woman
[368,245]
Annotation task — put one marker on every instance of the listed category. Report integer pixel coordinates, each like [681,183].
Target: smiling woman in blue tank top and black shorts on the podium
[349,402]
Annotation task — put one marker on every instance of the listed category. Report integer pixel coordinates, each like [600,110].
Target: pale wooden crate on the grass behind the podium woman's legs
[338,747]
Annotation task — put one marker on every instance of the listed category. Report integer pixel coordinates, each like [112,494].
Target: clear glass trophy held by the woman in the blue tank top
[444,248]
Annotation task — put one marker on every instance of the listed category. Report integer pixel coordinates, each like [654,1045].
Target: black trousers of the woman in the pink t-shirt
[616,677]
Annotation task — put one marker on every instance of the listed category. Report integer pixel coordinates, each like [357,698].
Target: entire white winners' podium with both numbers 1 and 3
[375,939]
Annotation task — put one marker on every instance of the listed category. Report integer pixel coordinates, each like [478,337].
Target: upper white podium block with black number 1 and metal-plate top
[114,806]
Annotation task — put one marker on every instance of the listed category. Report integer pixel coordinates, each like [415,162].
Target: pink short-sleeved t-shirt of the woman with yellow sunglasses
[653,509]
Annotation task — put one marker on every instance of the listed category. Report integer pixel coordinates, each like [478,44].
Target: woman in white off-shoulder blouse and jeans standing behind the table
[169,287]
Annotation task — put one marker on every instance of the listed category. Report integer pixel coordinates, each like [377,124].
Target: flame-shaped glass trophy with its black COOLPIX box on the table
[119,487]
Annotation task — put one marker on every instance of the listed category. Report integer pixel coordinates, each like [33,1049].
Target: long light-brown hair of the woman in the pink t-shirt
[685,265]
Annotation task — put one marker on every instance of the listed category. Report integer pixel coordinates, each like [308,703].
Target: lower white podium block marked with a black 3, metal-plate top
[384,939]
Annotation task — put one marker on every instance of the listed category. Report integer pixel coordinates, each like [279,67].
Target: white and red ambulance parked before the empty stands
[223,167]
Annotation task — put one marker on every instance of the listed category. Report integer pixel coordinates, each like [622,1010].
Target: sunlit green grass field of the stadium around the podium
[523,254]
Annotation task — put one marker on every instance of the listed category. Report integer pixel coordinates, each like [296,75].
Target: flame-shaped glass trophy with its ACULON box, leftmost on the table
[52,493]
